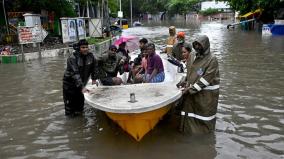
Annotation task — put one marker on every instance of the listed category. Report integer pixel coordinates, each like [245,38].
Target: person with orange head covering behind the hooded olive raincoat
[177,48]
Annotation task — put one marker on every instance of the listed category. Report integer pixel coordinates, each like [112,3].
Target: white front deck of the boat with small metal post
[149,96]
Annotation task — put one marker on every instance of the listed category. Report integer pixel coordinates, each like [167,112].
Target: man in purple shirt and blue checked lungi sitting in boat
[155,68]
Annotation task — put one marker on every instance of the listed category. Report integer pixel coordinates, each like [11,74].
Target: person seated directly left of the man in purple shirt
[136,64]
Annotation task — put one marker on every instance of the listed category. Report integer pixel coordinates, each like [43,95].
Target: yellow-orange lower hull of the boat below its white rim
[139,124]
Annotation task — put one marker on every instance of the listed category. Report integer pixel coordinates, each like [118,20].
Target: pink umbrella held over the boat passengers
[132,42]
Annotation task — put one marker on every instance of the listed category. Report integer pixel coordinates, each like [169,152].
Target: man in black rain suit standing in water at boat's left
[80,66]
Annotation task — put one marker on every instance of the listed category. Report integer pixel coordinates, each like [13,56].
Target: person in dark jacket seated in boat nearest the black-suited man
[111,63]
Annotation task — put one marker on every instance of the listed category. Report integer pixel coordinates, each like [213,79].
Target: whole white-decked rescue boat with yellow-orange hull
[151,101]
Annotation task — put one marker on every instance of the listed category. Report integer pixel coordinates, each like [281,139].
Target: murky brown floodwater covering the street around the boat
[250,119]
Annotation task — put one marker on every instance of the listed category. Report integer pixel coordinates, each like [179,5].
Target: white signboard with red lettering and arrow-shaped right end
[31,34]
